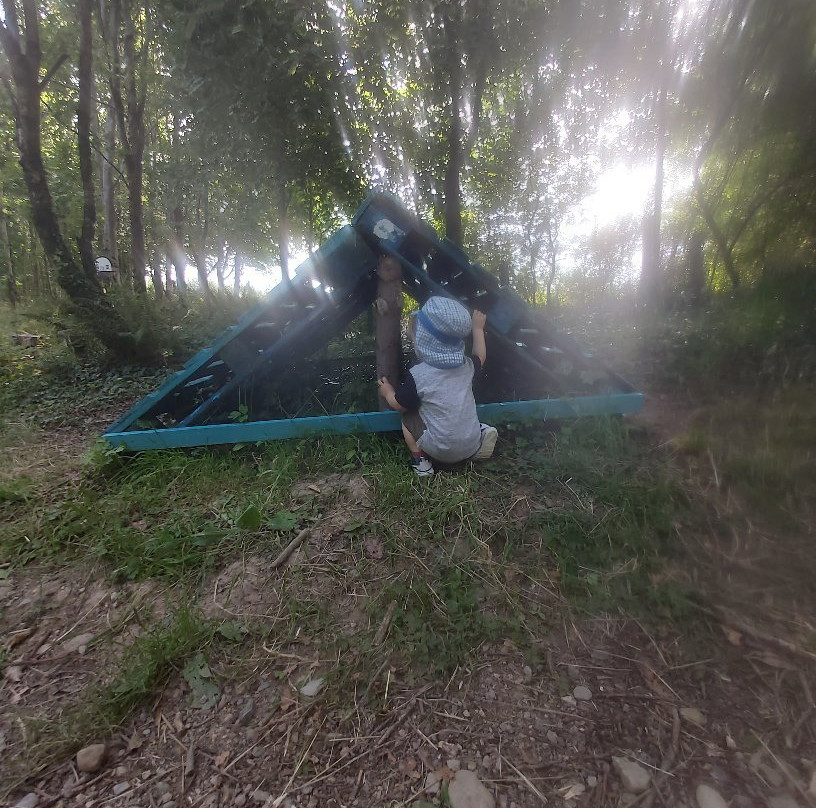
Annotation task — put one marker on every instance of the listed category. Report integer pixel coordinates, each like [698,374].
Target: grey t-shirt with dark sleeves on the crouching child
[446,405]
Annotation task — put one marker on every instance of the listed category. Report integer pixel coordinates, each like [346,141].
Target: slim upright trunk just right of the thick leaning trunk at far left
[85,109]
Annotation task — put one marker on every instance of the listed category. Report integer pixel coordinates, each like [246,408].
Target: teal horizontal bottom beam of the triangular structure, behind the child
[215,434]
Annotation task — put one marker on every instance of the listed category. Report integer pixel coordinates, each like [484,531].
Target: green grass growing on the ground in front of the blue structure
[577,519]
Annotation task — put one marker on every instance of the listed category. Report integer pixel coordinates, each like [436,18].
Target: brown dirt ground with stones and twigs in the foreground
[606,712]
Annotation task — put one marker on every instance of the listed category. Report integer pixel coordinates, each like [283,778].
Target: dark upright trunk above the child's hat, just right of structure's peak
[453,169]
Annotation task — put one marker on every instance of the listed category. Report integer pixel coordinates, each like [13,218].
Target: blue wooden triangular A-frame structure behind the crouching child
[235,390]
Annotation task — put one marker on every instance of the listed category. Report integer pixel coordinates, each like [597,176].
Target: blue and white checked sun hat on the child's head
[441,327]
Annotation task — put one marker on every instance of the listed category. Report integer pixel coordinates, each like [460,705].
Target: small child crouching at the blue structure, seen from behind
[436,397]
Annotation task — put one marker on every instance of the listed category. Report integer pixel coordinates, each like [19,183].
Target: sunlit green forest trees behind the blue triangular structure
[187,141]
